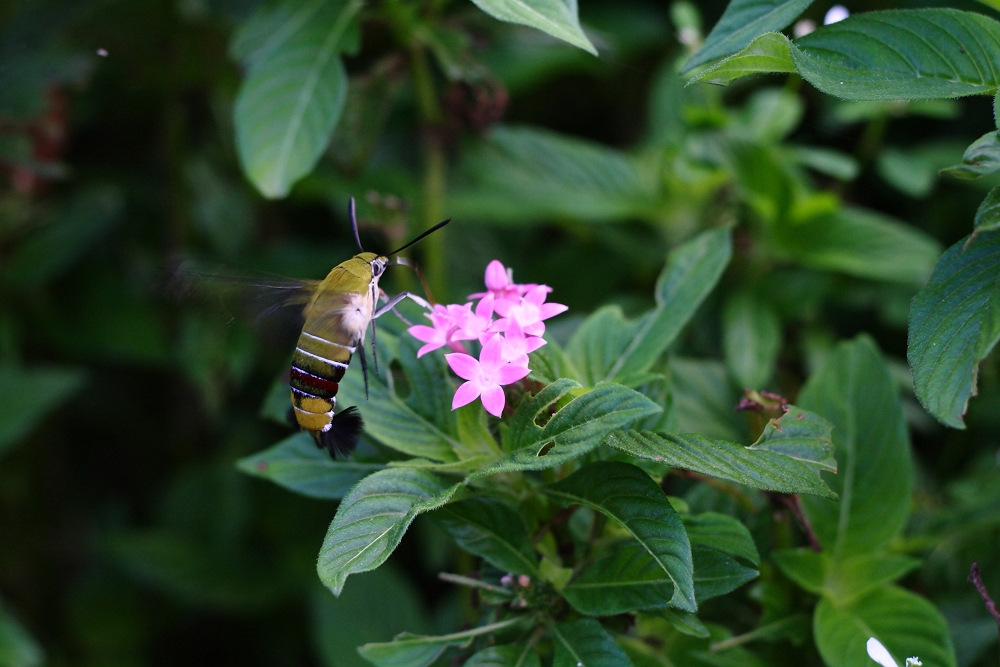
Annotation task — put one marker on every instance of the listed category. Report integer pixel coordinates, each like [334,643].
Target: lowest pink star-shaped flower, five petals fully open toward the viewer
[485,376]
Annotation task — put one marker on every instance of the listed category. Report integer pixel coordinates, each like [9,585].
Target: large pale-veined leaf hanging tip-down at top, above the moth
[290,102]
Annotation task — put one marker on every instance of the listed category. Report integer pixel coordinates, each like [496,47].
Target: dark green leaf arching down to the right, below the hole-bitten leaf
[627,494]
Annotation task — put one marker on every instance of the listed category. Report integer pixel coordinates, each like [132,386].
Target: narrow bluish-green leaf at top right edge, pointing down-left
[741,23]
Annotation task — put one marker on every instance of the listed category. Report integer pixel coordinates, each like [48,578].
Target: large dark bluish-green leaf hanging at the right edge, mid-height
[954,323]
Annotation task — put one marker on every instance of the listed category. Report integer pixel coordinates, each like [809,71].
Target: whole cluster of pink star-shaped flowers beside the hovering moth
[506,341]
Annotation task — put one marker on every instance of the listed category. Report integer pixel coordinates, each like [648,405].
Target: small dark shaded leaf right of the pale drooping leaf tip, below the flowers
[490,529]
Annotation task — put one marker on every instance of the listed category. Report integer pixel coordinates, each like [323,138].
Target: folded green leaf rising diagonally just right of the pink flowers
[606,347]
